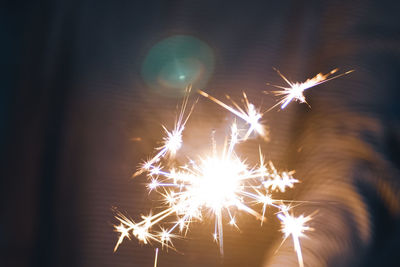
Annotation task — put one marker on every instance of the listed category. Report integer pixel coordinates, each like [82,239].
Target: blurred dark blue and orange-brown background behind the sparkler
[73,102]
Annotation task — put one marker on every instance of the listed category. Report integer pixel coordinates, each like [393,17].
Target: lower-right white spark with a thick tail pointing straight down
[294,227]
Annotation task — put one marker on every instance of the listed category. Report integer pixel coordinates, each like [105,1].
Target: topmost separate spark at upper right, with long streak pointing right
[295,91]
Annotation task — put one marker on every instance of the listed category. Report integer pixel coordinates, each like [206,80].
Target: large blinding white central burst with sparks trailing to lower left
[216,187]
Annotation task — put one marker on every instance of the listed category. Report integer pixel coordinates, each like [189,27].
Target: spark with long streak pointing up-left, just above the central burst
[249,114]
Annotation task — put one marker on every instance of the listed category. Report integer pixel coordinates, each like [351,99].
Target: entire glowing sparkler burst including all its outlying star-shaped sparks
[219,185]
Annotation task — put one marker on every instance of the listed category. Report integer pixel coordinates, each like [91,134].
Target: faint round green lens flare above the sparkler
[175,62]
